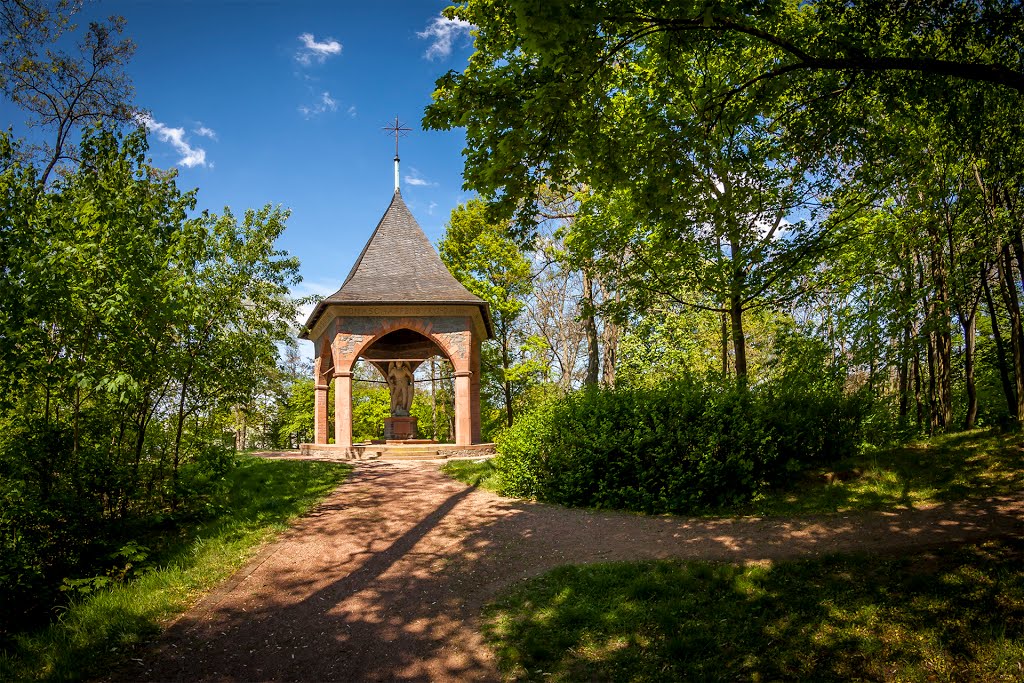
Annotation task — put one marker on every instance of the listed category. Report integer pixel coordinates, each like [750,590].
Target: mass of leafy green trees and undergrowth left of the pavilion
[131,337]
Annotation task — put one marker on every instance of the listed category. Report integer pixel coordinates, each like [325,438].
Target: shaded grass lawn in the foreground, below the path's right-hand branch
[949,615]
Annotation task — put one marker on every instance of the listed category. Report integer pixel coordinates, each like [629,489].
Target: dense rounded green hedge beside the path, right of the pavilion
[680,448]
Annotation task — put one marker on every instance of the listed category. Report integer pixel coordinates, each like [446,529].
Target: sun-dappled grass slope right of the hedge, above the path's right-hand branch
[953,467]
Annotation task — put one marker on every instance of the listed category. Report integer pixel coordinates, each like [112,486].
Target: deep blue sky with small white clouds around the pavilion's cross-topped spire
[284,103]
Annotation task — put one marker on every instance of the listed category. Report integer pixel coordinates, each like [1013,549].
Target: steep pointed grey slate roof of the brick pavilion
[400,266]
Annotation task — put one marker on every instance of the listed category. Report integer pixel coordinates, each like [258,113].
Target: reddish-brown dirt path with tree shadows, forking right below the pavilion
[385,581]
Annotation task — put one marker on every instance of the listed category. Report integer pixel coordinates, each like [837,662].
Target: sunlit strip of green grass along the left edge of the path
[104,628]
